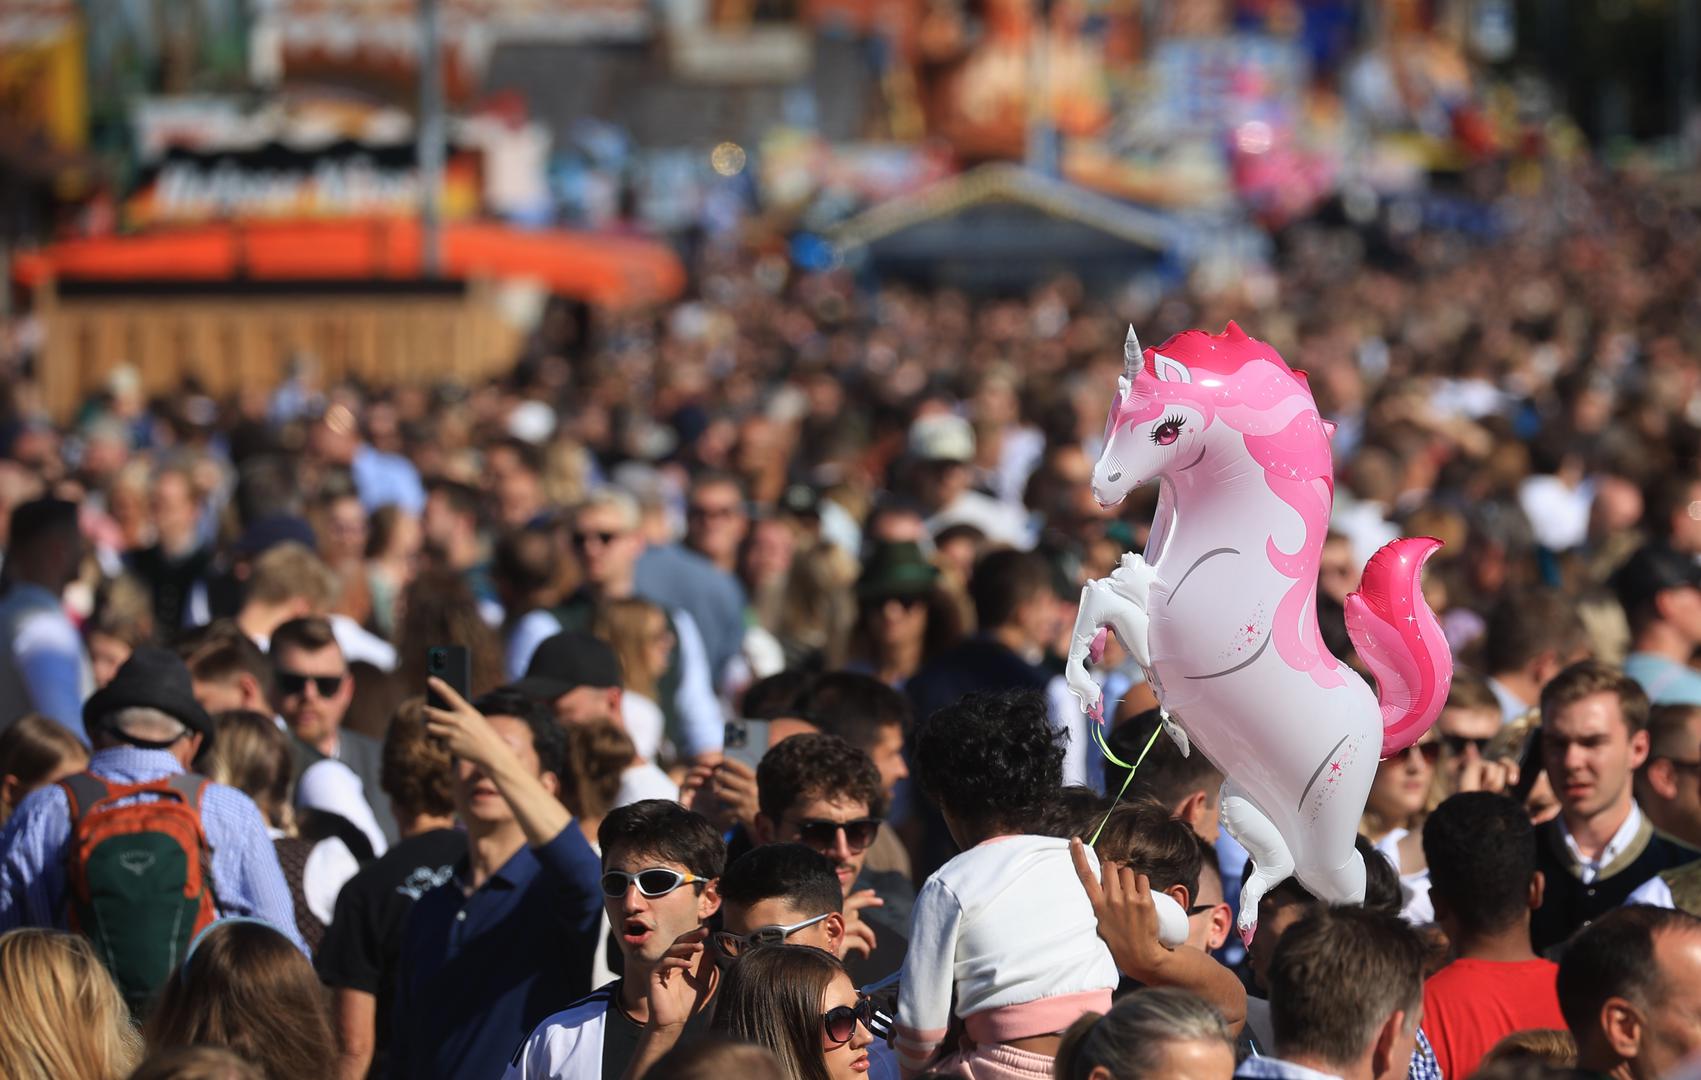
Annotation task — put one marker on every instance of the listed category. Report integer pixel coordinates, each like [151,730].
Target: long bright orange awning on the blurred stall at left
[603,270]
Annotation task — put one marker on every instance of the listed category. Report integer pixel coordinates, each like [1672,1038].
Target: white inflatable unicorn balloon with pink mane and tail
[1222,610]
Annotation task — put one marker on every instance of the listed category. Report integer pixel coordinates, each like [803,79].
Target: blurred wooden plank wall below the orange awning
[230,343]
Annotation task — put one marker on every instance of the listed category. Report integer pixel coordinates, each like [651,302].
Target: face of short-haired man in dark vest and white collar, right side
[1590,756]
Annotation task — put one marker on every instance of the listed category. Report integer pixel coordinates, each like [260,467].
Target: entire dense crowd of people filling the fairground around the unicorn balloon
[690,702]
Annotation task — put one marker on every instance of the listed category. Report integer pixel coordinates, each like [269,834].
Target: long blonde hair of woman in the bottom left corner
[65,1016]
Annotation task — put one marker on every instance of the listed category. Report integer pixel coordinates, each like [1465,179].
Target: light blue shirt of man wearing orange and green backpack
[246,873]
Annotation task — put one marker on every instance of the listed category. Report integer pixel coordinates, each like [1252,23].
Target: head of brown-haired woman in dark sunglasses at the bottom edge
[799,1003]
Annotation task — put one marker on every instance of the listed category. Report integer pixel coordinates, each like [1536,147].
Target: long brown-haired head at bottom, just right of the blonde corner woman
[246,987]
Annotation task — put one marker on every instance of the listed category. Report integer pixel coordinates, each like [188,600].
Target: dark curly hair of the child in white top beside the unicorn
[993,761]
